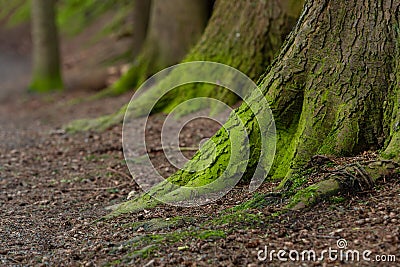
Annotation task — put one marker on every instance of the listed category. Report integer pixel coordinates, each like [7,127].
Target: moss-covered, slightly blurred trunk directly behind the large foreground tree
[244,34]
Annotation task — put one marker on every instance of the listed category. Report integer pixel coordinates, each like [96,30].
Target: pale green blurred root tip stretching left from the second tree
[97,124]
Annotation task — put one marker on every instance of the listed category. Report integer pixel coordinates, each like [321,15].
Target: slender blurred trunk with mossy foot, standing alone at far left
[46,74]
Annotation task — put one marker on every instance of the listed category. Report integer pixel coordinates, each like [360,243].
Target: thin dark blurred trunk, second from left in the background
[141,15]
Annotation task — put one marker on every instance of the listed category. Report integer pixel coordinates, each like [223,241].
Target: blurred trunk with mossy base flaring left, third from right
[174,27]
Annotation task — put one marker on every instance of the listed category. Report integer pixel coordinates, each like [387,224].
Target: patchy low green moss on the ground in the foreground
[180,232]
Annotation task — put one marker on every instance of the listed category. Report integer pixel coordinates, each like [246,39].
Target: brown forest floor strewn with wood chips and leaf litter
[55,186]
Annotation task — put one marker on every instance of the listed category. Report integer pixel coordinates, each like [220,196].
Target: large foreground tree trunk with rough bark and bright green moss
[334,89]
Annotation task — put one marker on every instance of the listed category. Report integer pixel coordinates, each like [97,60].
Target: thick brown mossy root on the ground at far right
[352,179]
